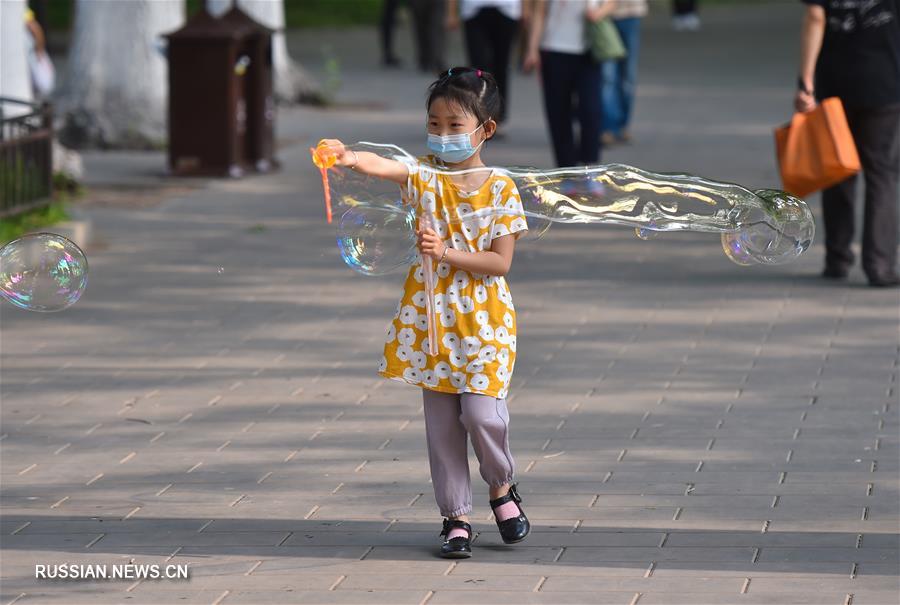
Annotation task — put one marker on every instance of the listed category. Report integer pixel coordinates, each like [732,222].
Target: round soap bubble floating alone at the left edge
[42,272]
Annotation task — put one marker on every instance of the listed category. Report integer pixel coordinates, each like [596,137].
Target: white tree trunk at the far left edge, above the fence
[15,81]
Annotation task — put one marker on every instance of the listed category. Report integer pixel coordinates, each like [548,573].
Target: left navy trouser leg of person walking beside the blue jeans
[558,75]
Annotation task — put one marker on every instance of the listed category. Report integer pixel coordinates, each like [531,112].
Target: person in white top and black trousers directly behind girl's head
[489,27]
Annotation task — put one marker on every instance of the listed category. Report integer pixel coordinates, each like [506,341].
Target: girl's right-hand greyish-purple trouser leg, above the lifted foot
[487,421]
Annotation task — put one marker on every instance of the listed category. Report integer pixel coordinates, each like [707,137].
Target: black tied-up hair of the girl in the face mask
[474,90]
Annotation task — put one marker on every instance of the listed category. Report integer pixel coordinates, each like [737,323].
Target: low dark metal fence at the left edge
[26,156]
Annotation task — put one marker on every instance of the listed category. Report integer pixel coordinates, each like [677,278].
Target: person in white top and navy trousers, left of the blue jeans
[558,47]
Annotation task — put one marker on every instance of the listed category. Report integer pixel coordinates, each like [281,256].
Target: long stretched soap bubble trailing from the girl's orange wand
[763,227]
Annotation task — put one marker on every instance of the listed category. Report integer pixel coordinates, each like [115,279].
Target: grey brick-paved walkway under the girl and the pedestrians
[685,430]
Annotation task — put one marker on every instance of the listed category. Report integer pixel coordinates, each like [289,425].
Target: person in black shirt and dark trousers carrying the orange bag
[851,50]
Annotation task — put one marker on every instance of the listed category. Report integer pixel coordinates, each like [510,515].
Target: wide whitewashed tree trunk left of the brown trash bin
[115,89]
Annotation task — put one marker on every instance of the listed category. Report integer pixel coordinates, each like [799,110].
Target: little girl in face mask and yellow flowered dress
[464,386]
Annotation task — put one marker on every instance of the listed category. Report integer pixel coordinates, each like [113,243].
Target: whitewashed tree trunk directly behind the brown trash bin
[292,83]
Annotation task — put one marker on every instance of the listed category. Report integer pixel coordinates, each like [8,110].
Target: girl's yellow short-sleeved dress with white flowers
[476,319]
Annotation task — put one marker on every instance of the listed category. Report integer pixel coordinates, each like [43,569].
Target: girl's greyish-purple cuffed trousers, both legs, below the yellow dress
[449,417]
